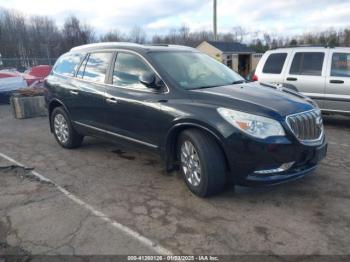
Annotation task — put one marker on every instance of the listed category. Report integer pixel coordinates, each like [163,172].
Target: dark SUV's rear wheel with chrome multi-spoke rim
[70,139]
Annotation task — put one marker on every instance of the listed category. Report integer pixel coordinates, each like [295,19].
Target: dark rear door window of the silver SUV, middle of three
[307,63]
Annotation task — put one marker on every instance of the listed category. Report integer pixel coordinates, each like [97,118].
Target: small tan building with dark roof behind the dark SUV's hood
[236,56]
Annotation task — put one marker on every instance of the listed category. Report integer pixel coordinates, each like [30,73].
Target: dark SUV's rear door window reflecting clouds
[96,67]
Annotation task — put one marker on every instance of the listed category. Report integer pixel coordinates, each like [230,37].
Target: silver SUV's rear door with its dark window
[307,73]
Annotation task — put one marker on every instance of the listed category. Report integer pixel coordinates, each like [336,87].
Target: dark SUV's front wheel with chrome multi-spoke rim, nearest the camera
[212,171]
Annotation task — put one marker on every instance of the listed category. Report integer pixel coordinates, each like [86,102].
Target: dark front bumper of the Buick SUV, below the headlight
[248,159]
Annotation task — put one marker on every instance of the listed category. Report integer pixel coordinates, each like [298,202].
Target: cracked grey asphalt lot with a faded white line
[105,198]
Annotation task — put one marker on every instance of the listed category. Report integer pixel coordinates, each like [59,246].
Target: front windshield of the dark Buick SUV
[192,70]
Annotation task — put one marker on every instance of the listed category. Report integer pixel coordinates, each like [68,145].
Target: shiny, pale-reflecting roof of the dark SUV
[131,46]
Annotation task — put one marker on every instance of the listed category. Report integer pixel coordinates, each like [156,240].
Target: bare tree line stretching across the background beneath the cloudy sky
[39,37]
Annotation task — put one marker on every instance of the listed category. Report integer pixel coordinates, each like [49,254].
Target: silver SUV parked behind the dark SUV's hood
[318,72]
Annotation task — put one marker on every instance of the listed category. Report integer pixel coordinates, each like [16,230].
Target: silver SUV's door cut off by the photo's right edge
[337,95]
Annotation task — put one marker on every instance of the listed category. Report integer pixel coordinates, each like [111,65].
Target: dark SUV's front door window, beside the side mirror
[127,69]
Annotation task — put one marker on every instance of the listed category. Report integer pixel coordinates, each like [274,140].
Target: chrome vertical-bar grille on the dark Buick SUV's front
[306,126]
